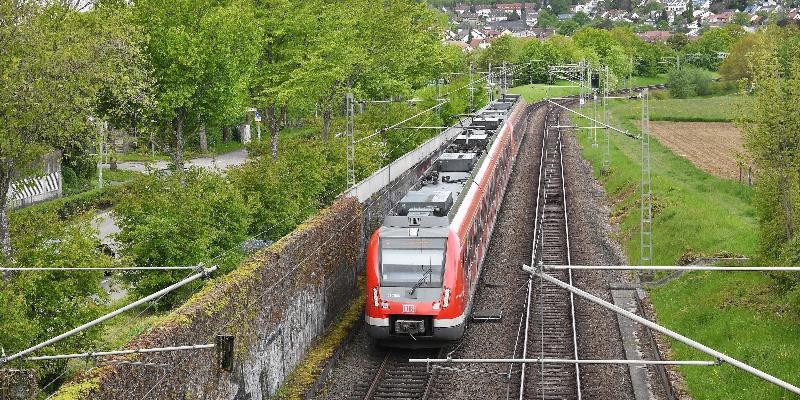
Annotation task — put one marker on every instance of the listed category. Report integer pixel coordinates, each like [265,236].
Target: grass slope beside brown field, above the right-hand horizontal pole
[695,212]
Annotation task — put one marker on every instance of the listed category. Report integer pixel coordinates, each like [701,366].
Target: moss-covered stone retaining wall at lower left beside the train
[275,305]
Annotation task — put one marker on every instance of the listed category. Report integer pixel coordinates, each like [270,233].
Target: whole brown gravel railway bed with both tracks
[533,226]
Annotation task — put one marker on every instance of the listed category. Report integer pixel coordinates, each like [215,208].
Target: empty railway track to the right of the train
[550,328]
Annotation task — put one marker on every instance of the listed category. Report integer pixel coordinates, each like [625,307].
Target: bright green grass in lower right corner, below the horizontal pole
[741,315]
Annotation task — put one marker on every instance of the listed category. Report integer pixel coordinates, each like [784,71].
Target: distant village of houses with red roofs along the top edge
[477,26]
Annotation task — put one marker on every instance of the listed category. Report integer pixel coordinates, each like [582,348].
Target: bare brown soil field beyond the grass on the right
[714,147]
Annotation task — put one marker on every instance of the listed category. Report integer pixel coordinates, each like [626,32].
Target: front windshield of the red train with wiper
[412,262]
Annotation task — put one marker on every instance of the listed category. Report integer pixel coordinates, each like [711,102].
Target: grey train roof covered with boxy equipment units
[434,200]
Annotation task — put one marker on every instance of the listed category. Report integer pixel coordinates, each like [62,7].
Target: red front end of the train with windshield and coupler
[411,296]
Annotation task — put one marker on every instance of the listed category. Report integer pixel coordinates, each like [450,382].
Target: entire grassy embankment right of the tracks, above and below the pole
[740,314]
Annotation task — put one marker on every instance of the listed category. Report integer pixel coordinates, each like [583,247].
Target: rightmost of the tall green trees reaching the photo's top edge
[379,52]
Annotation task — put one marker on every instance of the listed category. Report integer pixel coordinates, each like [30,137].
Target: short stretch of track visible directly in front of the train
[397,379]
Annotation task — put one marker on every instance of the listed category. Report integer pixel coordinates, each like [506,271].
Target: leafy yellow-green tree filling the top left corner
[56,64]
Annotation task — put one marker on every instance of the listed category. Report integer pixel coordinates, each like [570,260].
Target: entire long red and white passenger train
[424,262]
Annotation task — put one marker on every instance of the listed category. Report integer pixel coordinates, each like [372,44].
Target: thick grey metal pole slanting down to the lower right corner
[674,335]
